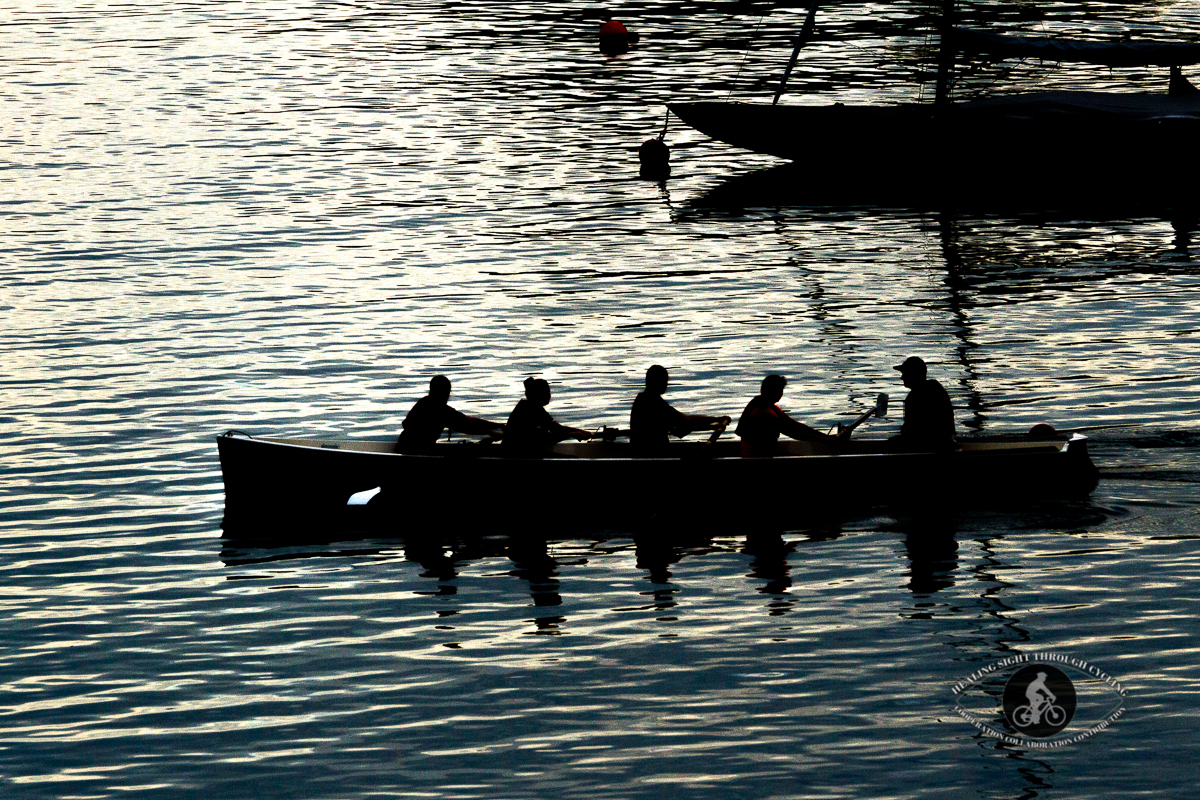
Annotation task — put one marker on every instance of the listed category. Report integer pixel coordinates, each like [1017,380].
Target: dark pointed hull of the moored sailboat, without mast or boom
[1107,141]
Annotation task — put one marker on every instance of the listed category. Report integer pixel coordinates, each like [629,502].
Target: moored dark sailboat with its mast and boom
[1107,139]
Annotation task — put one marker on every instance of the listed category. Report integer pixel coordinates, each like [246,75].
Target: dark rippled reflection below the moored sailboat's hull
[1005,243]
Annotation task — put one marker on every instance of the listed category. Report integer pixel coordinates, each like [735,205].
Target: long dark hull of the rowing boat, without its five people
[302,478]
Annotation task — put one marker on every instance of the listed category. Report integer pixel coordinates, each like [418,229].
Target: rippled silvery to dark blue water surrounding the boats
[285,218]
